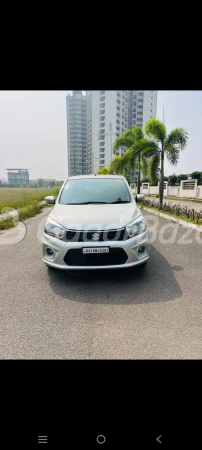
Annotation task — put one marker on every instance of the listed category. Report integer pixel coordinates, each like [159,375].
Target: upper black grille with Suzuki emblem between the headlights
[96,236]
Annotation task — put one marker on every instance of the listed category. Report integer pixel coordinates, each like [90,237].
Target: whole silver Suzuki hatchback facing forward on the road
[95,224]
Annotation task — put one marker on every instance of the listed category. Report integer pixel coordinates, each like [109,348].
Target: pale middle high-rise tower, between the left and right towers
[107,119]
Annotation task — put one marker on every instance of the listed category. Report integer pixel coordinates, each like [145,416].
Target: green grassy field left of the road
[25,200]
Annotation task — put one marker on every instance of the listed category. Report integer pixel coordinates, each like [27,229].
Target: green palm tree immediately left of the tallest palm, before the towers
[131,139]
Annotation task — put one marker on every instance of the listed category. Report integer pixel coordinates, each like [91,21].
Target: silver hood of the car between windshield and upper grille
[97,217]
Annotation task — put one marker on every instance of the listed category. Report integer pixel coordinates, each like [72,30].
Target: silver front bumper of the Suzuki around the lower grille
[60,248]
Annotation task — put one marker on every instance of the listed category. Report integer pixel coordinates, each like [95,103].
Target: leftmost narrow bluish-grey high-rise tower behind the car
[76,108]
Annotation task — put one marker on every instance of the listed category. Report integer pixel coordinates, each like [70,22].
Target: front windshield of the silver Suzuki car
[95,190]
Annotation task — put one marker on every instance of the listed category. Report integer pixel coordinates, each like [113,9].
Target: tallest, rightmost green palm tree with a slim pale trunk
[163,144]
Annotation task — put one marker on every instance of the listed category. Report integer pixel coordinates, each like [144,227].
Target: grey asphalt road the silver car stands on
[152,312]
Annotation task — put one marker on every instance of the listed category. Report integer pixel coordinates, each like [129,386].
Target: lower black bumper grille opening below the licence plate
[75,257]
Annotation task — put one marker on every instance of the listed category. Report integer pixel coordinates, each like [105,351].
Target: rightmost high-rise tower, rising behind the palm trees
[142,106]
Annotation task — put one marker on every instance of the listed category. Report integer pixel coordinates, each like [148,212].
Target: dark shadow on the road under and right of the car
[152,283]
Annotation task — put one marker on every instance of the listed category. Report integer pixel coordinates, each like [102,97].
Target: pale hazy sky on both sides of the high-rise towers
[33,131]
